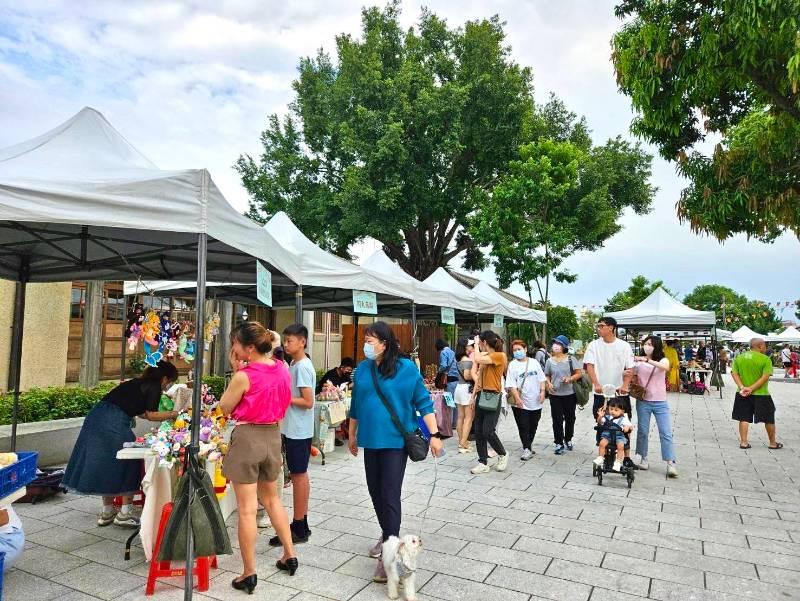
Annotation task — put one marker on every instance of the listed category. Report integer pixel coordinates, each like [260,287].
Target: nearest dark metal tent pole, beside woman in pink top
[194,447]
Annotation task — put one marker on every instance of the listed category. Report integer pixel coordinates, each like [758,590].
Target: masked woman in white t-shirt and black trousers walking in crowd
[525,382]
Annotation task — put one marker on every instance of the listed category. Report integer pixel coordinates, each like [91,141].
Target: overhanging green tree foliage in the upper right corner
[727,70]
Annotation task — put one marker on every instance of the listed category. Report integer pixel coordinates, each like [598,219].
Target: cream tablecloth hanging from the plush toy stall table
[158,485]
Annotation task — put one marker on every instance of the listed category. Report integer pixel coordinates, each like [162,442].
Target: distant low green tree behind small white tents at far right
[733,309]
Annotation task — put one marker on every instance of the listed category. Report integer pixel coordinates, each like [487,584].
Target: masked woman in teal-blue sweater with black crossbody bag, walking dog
[371,426]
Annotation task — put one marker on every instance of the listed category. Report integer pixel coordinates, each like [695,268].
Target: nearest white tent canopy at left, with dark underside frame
[81,202]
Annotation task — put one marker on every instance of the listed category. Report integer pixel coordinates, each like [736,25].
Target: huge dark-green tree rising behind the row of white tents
[396,138]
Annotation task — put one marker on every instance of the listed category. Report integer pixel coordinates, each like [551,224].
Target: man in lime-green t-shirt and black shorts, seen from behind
[753,404]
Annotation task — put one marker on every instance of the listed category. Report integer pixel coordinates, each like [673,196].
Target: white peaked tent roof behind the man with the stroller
[660,310]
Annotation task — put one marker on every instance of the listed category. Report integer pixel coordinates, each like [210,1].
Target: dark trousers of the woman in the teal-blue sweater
[385,469]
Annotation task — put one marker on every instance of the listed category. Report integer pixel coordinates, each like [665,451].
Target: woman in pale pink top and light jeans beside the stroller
[651,371]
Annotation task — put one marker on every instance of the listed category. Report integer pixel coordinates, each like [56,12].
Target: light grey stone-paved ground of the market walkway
[728,528]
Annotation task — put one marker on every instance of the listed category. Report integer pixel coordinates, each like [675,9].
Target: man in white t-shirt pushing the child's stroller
[609,360]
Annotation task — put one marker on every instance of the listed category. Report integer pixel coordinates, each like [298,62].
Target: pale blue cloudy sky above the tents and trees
[191,84]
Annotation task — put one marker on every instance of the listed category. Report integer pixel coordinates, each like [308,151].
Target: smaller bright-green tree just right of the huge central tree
[559,197]
